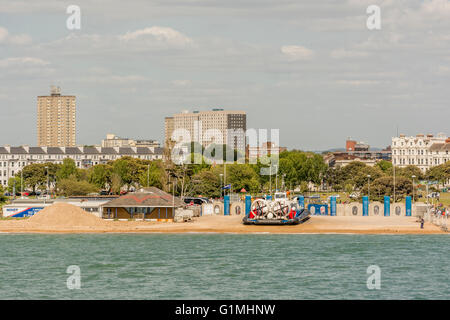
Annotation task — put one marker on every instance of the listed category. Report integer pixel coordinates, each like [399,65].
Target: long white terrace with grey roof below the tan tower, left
[13,159]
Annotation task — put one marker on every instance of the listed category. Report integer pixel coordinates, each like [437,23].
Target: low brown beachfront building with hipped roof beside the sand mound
[147,203]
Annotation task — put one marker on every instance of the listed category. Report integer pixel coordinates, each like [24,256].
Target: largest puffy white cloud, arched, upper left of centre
[160,34]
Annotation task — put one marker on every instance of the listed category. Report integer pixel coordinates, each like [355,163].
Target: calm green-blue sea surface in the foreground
[216,266]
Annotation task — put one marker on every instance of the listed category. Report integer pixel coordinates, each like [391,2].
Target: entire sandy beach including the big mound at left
[69,219]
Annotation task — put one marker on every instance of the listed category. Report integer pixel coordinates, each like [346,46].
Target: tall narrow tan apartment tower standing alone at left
[56,123]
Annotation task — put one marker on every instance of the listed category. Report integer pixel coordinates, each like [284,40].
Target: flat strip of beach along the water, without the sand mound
[233,225]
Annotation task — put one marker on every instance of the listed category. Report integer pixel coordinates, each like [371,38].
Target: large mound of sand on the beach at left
[64,215]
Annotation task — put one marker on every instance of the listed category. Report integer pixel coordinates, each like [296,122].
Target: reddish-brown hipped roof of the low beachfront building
[146,197]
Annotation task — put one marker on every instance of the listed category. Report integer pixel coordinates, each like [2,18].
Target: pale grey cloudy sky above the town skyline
[310,68]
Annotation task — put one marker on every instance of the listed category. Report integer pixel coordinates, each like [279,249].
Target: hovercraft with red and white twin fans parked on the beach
[278,212]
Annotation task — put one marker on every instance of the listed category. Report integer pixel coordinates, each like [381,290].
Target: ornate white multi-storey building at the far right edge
[423,151]
